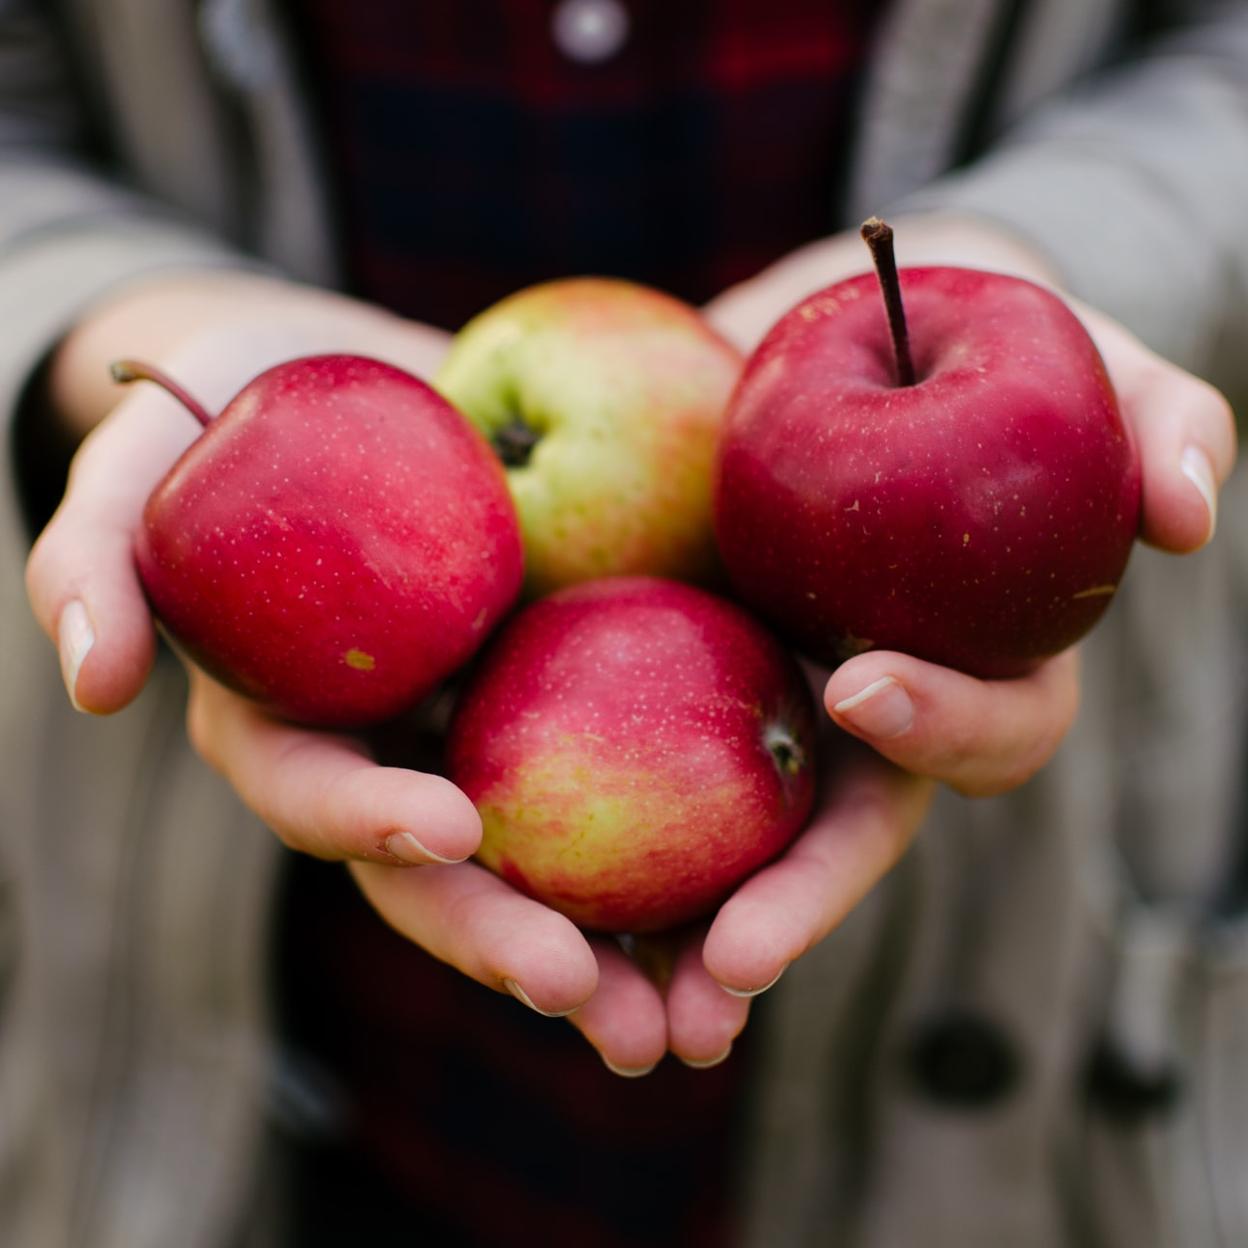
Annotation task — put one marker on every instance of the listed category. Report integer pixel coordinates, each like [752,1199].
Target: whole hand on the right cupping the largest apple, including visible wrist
[927,723]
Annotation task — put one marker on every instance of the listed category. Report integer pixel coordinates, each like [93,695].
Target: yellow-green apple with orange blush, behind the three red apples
[605,400]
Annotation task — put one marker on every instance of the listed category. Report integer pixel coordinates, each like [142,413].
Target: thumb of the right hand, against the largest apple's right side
[1185,432]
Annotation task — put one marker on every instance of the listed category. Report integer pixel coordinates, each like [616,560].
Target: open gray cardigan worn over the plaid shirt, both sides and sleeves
[135,1061]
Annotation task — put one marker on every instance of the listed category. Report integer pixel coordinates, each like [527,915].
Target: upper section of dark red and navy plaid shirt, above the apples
[476,158]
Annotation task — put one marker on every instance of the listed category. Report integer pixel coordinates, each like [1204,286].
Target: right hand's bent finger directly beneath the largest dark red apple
[980,737]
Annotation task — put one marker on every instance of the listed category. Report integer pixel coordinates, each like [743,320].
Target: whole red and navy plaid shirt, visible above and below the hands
[474,158]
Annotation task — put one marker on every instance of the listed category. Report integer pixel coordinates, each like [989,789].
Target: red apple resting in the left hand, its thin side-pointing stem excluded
[336,542]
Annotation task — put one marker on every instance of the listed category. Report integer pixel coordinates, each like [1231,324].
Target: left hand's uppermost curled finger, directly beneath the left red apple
[323,794]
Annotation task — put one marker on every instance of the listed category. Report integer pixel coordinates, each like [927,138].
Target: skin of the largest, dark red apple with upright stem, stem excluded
[980,519]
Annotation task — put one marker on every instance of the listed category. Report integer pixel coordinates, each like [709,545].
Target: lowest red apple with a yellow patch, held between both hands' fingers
[616,742]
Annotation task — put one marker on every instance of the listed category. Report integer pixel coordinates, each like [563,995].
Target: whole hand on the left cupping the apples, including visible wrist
[404,833]
